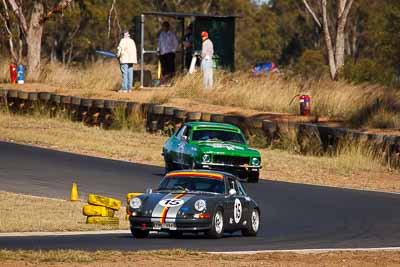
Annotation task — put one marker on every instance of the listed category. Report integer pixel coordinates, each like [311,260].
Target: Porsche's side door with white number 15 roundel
[234,204]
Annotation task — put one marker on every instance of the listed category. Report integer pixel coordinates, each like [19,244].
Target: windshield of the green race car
[217,135]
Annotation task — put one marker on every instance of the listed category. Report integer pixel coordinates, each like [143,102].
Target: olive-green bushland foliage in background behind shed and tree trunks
[281,31]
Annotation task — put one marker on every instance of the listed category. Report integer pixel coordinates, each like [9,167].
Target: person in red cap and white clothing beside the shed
[207,53]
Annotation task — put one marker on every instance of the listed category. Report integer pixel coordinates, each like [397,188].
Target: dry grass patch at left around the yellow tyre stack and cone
[46,214]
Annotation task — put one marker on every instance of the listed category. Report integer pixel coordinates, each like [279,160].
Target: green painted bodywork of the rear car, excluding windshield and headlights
[186,153]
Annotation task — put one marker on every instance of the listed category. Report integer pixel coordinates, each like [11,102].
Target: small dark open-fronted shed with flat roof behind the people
[221,31]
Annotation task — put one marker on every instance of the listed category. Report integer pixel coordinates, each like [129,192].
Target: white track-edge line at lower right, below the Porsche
[310,251]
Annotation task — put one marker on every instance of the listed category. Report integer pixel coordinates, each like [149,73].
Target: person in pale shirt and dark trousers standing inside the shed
[167,46]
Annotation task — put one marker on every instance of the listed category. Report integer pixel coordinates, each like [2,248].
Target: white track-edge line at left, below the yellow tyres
[28,234]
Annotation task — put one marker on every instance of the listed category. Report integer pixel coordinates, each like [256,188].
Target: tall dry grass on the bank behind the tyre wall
[238,92]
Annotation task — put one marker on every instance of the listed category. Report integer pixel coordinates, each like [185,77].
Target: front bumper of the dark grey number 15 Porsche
[180,224]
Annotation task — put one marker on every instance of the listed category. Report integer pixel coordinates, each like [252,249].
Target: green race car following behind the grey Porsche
[216,146]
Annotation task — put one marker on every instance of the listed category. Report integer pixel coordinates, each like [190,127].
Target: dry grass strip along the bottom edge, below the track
[192,258]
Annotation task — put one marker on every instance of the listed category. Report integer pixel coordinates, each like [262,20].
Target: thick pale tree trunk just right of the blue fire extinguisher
[34,41]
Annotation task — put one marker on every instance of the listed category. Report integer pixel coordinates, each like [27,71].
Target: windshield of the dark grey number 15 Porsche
[189,183]
